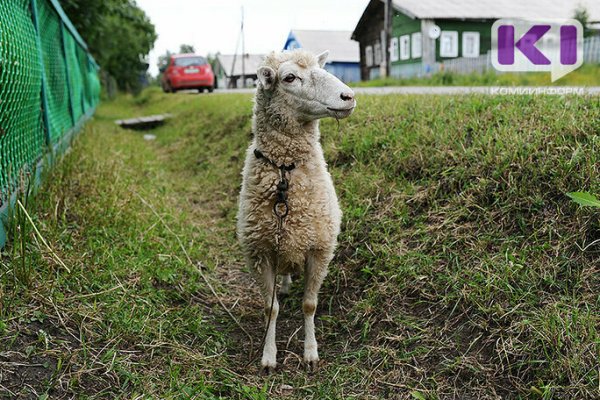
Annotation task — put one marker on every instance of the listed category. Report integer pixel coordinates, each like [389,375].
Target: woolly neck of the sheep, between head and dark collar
[283,140]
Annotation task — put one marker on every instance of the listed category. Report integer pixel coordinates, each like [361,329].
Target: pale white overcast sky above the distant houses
[213,26]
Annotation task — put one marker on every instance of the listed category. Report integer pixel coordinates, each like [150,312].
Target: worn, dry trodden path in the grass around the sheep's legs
[240,294]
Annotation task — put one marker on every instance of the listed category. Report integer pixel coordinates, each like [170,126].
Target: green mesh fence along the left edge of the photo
[49,86]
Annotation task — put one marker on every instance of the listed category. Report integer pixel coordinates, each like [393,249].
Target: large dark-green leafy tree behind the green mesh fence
[119,35]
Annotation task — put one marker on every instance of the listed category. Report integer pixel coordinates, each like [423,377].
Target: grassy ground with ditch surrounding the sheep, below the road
[460,271]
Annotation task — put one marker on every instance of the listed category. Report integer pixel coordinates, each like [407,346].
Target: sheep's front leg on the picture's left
[269,358]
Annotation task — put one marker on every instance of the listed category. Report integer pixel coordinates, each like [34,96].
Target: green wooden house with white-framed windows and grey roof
[424,35]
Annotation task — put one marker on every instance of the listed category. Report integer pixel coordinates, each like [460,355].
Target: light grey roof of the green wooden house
[494,9]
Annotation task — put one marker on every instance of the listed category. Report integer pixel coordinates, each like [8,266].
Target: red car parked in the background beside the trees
[188,71]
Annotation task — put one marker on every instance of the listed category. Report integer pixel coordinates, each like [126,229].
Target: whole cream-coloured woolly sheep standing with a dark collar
[293,93]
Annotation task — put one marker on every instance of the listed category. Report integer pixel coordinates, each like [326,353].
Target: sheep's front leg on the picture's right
[315,272]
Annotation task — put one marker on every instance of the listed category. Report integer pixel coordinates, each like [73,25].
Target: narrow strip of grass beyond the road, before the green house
[587,75]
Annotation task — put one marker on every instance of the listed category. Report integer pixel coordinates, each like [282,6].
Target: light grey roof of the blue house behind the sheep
[341,47]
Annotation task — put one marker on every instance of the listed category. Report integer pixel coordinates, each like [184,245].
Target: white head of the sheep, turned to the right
[297,82]
